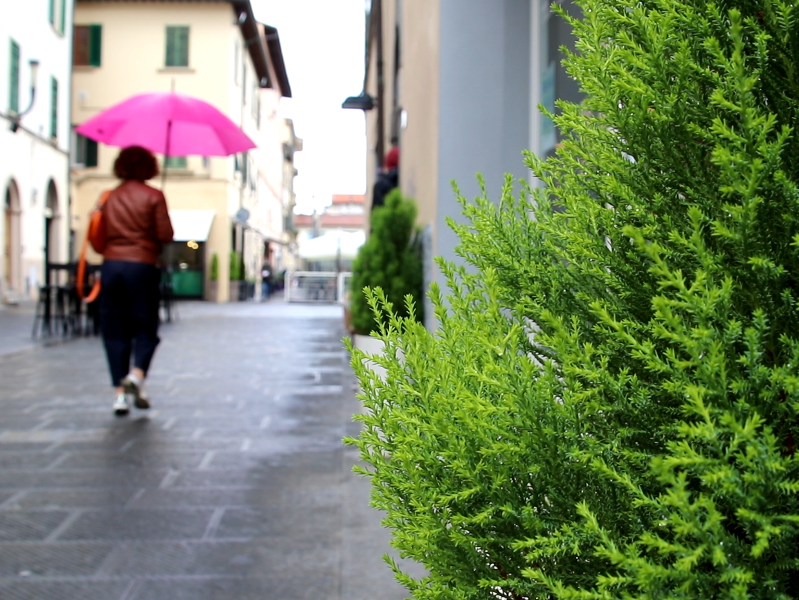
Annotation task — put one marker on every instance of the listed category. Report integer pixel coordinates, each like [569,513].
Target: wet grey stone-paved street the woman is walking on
[235,485]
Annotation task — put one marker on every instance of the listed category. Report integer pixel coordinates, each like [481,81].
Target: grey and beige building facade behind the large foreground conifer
[461,84]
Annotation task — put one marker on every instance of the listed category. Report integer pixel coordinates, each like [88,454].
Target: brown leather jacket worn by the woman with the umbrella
[137,223]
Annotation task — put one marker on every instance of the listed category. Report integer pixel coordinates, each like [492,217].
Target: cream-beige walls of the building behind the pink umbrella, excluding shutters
[133,53]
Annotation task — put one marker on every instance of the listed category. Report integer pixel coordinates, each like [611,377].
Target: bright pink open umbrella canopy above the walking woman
[167,123]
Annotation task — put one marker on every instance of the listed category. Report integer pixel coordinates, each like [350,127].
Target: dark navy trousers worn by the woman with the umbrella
[129,315]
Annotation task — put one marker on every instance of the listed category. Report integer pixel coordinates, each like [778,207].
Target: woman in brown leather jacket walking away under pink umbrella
[137,226]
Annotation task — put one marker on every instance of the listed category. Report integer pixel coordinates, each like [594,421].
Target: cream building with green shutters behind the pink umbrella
[226,210]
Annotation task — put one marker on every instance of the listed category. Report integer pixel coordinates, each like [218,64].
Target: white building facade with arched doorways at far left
[35,67]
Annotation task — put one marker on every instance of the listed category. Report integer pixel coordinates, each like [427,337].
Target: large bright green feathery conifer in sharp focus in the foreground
[609,407]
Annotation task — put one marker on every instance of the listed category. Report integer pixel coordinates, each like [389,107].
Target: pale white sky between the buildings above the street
[323,49]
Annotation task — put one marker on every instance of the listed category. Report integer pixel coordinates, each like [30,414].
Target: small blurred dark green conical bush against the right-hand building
[391,259]
